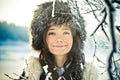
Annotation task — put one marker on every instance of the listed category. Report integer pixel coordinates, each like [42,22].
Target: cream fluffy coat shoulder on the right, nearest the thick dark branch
[91,72]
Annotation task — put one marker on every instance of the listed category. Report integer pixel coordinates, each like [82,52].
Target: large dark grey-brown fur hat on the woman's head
[43,18]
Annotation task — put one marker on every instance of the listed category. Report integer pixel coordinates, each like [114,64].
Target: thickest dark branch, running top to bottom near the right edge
[111,11]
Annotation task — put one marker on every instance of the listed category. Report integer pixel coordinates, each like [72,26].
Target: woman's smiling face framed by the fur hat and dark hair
[59,40]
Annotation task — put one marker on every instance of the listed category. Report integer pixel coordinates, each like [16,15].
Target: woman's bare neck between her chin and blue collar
[60,60]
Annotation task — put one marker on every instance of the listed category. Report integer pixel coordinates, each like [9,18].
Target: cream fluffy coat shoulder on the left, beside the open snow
[33,68]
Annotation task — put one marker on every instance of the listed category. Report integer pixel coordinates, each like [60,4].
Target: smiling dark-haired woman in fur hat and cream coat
[60,41]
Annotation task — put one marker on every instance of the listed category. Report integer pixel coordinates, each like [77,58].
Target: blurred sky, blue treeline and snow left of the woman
[15,18]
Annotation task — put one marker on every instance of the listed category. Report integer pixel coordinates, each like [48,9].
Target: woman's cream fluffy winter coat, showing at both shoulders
[33,70]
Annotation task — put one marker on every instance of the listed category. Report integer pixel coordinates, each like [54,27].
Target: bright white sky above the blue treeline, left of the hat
[18,11]
